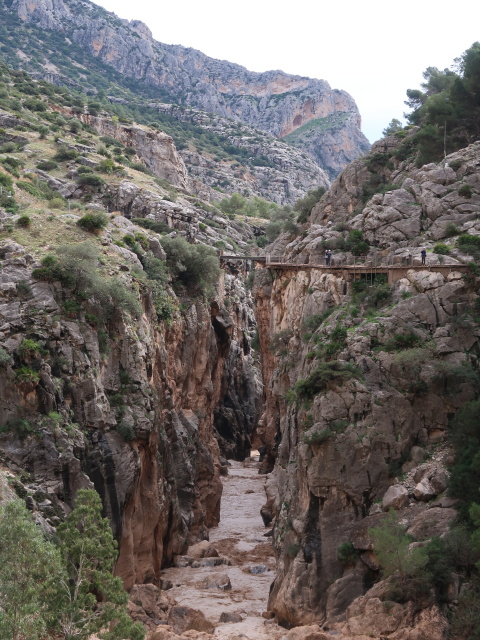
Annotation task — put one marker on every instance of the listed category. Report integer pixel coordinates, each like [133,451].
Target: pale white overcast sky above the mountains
[373,49]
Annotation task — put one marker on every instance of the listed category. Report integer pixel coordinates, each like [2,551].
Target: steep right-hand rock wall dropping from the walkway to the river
[323,488]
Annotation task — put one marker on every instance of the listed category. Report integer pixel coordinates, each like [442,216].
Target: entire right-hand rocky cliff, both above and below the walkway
[356,419]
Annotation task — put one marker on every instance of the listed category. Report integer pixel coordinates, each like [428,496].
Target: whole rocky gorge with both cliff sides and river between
[132,364]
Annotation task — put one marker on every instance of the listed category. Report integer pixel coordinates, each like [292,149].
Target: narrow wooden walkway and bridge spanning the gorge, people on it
[348,272]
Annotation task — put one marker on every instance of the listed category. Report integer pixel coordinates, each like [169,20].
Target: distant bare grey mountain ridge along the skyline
[272,101]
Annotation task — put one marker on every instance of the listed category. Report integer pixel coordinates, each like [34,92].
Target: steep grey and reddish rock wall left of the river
[129,412]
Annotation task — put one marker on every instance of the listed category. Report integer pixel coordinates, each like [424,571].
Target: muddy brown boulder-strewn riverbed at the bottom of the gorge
[240,539]
